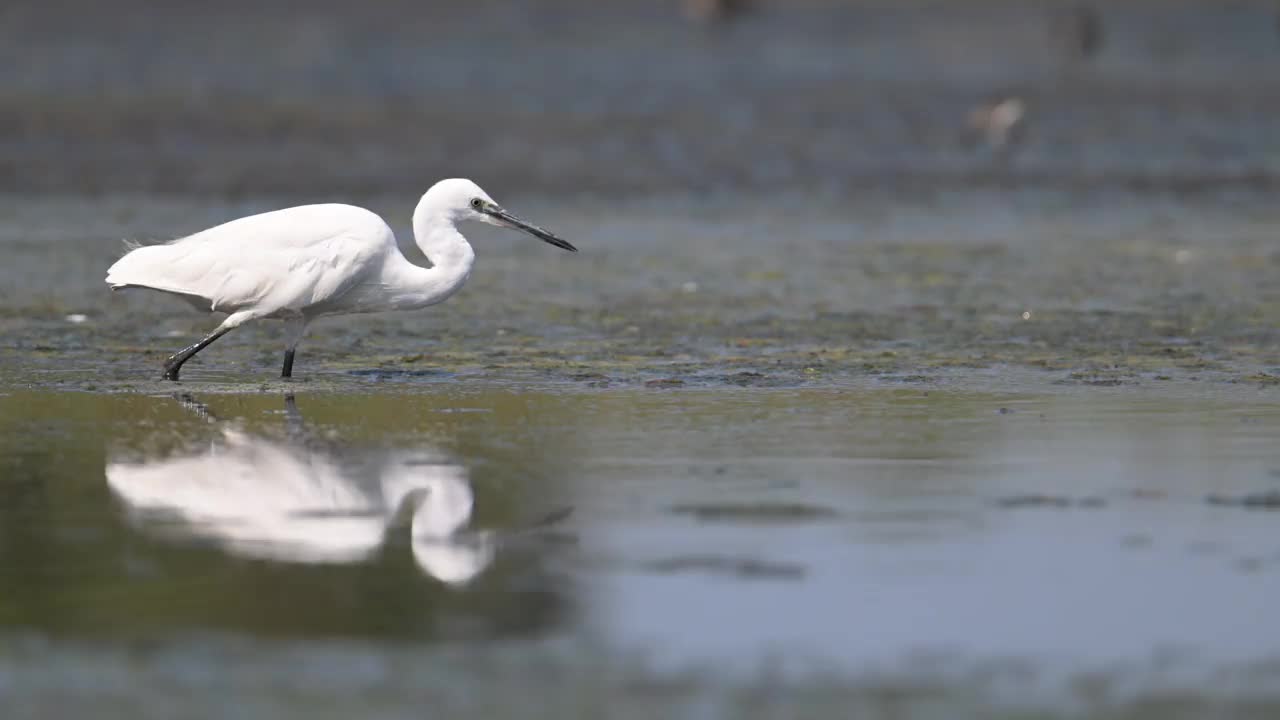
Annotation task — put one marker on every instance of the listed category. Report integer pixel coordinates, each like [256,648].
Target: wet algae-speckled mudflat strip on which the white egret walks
[1011,290]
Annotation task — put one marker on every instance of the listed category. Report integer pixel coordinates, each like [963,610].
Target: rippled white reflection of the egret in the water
[286,500]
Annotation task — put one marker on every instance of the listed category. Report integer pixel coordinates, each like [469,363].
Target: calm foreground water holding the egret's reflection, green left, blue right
[1002,545]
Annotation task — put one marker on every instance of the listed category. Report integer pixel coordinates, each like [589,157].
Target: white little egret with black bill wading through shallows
[303,263]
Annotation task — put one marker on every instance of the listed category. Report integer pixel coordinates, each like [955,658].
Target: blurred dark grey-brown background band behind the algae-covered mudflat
[665,97]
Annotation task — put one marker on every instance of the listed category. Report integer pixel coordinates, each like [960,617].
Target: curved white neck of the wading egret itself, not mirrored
[451,257]
